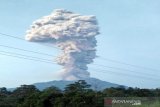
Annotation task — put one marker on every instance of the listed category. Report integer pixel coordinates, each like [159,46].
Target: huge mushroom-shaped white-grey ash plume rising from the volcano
[74,34]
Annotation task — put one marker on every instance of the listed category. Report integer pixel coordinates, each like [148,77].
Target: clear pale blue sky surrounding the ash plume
[129,33]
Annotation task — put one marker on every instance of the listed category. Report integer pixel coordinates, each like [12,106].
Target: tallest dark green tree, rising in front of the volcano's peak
[79,94]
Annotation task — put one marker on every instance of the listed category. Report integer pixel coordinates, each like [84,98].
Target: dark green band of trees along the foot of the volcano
[78,94]
